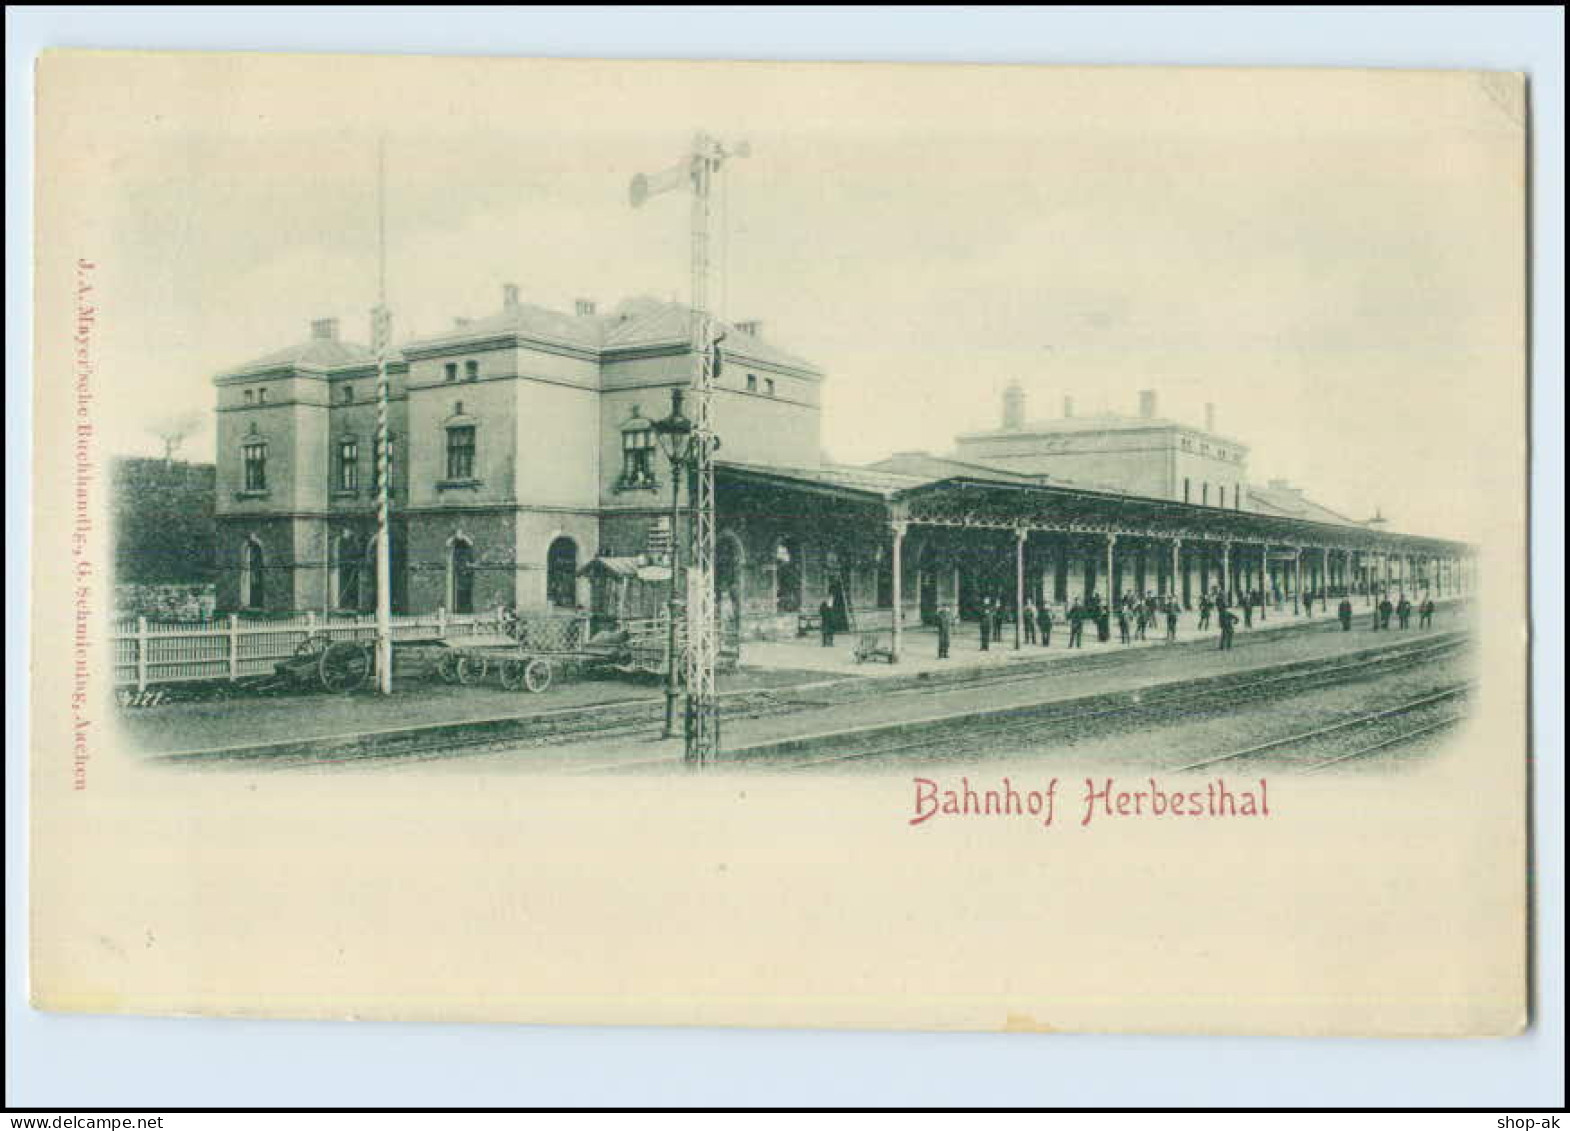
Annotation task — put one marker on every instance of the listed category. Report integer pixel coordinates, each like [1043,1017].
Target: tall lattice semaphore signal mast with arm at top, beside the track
[703,653]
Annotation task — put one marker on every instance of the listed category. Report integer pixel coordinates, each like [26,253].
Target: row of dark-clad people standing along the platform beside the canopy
[1136,617]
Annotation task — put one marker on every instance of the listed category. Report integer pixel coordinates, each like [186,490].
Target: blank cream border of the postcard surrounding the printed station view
[1371,906]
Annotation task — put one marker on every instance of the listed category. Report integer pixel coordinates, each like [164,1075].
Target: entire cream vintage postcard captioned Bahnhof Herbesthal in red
[833,546]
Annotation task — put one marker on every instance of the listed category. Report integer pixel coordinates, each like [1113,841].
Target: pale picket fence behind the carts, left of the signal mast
[150,653]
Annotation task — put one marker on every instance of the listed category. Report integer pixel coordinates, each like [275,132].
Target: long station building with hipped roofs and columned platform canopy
[524,453]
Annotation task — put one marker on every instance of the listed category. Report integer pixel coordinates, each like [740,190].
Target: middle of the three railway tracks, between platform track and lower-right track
[962,734]
